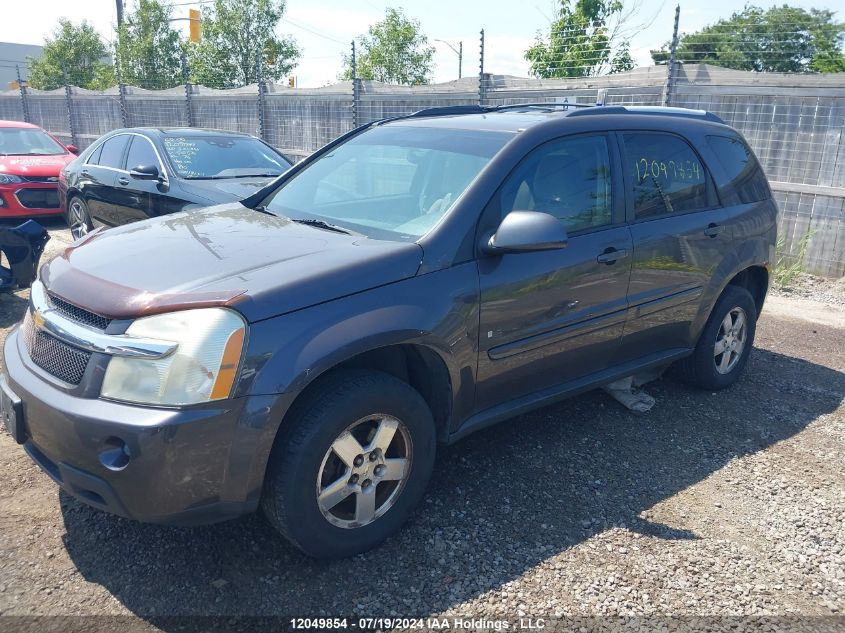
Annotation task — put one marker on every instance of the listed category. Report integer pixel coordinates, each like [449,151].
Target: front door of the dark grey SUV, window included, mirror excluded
[550,317]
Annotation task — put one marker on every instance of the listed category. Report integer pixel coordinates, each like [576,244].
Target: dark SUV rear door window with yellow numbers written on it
[667,175]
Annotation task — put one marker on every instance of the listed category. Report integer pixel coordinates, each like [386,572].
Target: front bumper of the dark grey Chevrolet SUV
[194,465]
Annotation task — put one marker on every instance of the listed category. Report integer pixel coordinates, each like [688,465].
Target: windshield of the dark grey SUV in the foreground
[391,182]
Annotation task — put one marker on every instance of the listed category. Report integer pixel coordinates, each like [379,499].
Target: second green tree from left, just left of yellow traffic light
[149,48]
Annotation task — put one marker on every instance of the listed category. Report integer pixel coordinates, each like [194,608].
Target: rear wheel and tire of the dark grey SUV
[706,367]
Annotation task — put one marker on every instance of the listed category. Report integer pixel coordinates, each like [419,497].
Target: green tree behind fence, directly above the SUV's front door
[580,42]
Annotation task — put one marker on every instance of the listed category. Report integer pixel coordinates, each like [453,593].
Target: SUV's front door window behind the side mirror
[568,178]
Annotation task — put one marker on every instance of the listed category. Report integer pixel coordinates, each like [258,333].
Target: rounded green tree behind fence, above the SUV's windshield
[394,51]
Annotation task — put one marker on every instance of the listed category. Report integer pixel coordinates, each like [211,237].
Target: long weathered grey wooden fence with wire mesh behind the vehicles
[795,122]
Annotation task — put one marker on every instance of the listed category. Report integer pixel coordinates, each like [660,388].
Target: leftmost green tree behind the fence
[74,54]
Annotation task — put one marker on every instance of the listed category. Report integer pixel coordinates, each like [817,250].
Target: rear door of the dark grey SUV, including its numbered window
[680,235]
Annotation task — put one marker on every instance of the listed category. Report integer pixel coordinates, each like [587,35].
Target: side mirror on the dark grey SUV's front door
[523,231]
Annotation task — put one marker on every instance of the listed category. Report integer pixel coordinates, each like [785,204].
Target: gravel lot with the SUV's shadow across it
[713,505]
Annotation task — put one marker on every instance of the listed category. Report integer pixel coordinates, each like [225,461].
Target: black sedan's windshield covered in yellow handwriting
[212,157]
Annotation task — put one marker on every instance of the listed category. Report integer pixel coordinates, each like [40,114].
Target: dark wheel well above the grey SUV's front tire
[416,365]
